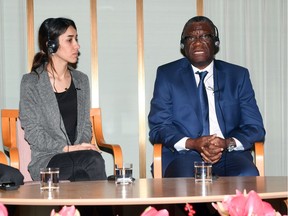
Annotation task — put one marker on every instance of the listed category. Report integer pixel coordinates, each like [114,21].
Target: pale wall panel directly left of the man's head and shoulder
[162,31]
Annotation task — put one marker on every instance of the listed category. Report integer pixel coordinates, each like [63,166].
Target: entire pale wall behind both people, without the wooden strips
[252,33]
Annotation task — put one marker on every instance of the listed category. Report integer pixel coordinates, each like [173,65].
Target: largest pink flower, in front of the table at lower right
[244,205]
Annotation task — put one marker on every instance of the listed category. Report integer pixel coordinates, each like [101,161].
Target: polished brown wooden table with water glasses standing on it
[145,191]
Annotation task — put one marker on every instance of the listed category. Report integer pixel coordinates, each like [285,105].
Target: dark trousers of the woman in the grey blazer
[85,165]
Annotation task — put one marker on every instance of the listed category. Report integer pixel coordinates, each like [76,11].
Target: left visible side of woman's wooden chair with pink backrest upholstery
[14,142]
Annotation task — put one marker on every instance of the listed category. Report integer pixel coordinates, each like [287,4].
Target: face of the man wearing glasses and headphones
[199,43]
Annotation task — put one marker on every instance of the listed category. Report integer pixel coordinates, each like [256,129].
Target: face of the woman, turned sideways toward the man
[68,49]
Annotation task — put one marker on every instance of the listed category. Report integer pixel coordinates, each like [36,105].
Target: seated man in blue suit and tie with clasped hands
[221,130]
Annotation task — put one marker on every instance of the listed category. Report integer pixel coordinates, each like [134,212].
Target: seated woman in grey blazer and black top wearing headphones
[55,107]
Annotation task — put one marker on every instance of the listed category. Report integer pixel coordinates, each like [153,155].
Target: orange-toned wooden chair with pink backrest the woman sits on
[14,142]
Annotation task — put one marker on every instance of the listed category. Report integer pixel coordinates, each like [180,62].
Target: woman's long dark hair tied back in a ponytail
[50,29]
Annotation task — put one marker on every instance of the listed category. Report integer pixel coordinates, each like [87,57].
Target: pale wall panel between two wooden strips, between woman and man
[118,76]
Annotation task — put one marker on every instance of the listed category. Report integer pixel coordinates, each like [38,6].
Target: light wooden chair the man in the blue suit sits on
[258,153]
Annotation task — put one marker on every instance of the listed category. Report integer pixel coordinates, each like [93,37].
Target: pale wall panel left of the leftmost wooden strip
[13,55]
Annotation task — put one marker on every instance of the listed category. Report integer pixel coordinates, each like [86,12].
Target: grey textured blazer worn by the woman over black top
[41,120]
